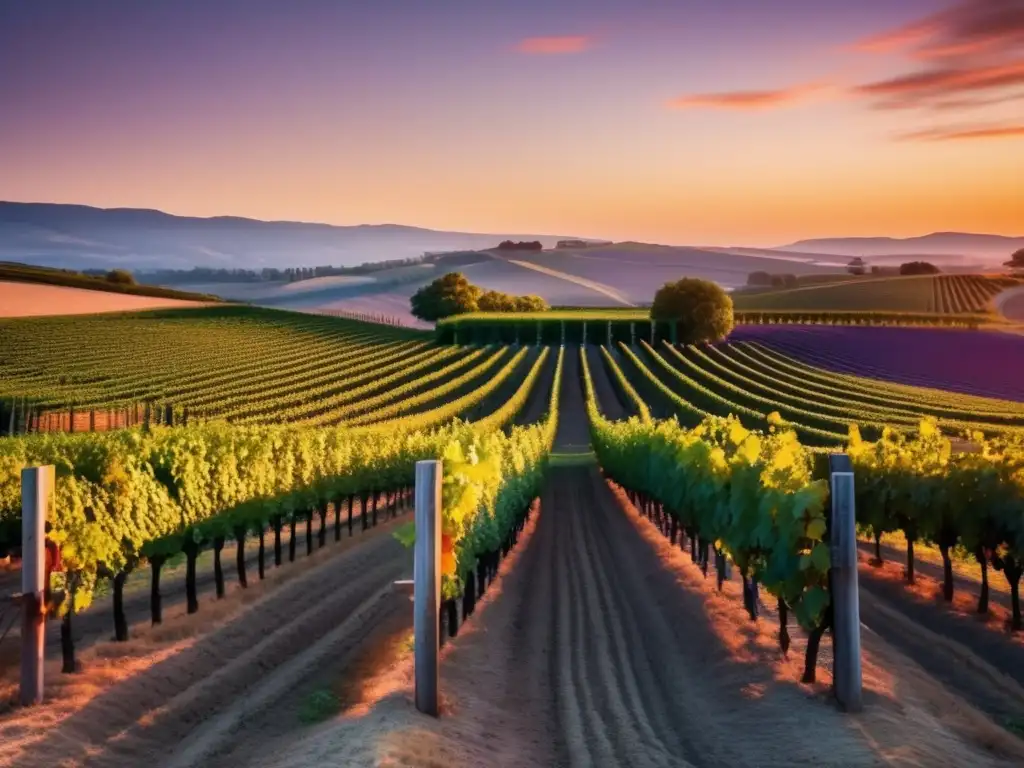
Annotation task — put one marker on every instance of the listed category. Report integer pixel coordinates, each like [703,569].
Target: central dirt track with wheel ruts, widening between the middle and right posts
[603,645]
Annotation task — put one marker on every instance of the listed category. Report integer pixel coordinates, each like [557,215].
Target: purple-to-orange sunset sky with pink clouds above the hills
[702,122]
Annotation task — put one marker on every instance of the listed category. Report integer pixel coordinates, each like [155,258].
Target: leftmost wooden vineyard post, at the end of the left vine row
[37,499]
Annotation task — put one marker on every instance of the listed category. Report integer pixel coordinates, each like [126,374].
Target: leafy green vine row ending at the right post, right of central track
[750,493]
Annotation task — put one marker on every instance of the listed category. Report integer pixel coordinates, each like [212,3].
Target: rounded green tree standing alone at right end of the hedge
[702,311]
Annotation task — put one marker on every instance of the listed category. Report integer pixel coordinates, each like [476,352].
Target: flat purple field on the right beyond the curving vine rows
[977,363]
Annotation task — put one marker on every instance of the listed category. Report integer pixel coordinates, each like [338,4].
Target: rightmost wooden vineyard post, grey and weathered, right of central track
[845,595]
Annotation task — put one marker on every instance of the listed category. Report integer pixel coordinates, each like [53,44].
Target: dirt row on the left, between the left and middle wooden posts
[175,694]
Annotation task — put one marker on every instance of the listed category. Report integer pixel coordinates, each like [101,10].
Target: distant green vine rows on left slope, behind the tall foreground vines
[241,365]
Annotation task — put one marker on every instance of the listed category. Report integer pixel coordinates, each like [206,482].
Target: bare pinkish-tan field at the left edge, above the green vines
[30,300]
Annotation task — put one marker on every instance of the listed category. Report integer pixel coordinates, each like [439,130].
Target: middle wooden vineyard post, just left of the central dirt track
[428,583]
